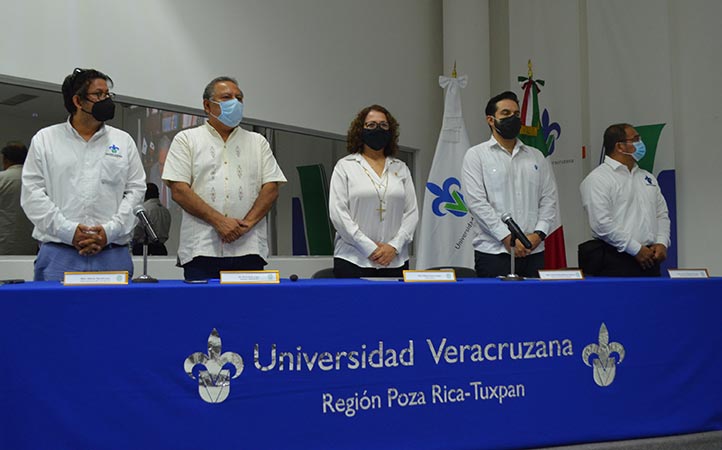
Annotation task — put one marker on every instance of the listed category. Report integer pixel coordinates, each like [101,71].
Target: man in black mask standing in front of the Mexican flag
[503,175]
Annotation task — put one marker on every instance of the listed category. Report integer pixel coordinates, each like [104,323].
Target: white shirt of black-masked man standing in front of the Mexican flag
[497,182]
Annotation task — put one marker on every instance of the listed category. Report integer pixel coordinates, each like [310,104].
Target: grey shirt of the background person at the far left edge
[15,228]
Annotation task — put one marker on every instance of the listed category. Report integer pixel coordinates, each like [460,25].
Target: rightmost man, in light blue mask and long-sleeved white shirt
[627,212]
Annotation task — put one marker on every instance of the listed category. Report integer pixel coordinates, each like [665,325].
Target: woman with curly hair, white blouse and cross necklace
[372,202]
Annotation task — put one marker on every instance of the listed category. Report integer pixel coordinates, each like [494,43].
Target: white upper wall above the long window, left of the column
[311,63]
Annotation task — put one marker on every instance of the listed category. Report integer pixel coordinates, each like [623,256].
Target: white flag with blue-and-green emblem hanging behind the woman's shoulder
[447,228]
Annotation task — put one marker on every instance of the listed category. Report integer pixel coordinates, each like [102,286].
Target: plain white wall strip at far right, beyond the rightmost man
[697,96]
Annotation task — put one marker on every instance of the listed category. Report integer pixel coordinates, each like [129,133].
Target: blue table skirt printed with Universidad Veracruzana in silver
[356,364]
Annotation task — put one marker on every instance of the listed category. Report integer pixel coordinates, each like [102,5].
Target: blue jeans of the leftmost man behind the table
[55,259]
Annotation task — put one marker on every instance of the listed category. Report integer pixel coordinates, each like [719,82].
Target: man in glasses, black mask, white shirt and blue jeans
[81,181]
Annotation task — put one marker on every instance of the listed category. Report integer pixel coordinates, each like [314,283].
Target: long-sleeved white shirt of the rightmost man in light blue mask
[625,209]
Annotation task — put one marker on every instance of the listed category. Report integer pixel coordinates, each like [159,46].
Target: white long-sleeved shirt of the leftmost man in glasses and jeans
[68,181]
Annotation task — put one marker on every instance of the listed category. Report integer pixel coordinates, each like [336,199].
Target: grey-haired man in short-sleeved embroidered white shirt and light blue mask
[226,180]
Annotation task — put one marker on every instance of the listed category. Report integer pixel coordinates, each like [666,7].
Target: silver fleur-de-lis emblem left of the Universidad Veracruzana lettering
[214,383]
